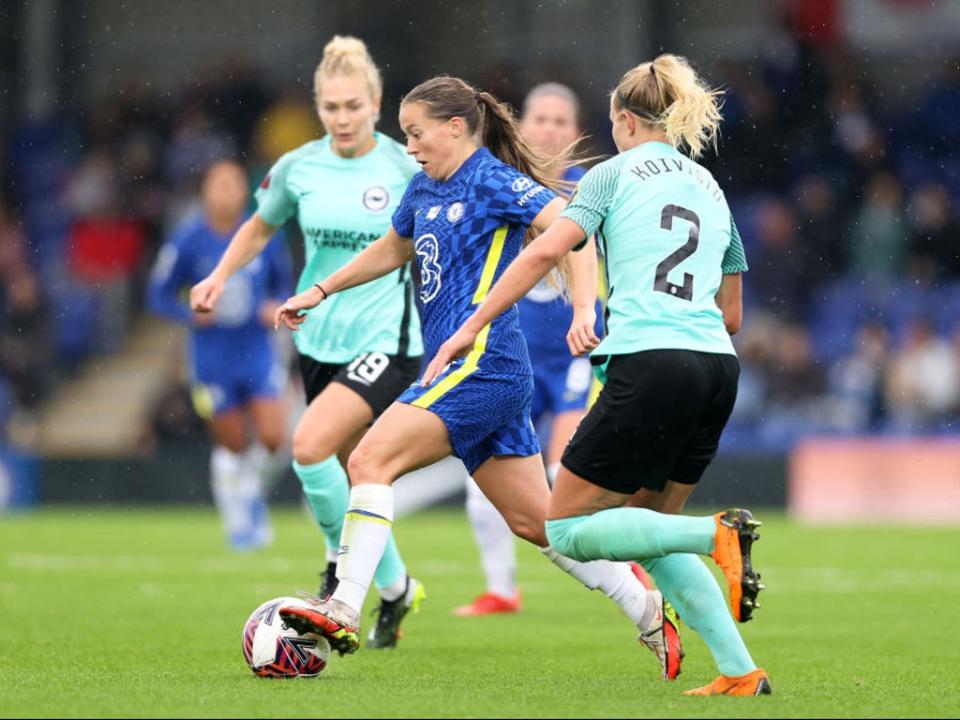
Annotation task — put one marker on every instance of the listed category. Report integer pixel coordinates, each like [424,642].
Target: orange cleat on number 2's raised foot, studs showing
[732,542]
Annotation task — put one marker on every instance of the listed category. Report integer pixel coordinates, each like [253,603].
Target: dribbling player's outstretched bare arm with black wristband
[380,258]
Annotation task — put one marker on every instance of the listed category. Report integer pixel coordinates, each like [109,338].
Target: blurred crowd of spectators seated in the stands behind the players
[849,211]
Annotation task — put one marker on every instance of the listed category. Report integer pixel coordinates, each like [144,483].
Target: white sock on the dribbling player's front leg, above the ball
[366,529]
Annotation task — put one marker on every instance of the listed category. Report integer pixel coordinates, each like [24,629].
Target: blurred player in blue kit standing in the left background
[237,372]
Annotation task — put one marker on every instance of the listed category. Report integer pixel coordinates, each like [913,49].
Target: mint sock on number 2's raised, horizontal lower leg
[630,534]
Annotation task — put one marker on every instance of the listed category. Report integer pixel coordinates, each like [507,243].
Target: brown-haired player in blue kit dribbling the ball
[464,218]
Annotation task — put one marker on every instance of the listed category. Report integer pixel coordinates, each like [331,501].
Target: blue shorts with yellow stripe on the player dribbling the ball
[486,414]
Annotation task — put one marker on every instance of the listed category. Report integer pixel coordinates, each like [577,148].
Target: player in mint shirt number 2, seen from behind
[674,261]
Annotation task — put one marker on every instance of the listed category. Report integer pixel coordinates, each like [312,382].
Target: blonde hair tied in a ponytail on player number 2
[668,94]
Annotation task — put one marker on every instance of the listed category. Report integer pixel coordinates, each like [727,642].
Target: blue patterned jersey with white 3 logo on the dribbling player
[466,231]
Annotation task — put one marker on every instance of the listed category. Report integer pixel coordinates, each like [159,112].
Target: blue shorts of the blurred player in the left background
[219,388]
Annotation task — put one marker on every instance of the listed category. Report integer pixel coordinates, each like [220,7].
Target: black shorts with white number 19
[376,377]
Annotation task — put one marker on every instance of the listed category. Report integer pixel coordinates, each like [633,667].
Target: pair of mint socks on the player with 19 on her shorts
[327,490]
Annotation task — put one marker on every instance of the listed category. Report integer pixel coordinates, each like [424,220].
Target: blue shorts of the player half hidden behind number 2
[560,383]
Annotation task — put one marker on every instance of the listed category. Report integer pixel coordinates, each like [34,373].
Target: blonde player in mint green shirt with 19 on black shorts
[364,347]
